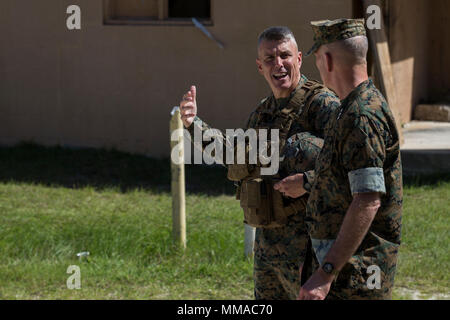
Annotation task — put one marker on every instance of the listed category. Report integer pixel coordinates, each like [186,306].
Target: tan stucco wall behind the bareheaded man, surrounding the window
[113,86]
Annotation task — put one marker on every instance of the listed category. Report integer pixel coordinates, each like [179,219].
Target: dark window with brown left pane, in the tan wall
[156,11]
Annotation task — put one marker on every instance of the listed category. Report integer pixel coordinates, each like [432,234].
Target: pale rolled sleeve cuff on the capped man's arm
[367,180]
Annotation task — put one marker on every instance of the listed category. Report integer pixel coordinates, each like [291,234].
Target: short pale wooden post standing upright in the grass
[177,182]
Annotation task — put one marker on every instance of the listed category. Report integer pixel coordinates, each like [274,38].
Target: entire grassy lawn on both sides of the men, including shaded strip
[55,203]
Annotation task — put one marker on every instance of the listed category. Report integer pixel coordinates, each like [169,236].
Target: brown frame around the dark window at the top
[163,19]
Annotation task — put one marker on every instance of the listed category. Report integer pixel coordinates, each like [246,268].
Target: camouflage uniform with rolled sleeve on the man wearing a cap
[360,154]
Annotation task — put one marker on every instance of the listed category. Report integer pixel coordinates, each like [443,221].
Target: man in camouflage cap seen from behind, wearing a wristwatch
[354,211]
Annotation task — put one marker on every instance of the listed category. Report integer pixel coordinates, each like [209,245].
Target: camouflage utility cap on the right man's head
[326,31]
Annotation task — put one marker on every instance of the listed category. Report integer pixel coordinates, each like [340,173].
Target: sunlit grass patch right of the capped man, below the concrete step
[424,260]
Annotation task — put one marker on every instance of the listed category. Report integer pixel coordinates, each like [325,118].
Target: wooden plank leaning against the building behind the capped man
[382,61]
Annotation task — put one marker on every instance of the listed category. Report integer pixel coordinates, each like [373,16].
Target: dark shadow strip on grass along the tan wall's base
[57,166]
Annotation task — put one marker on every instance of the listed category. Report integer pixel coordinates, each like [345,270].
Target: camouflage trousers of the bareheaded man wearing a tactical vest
[279,253]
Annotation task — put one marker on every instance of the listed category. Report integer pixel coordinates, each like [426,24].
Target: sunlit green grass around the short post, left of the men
[129,240]
